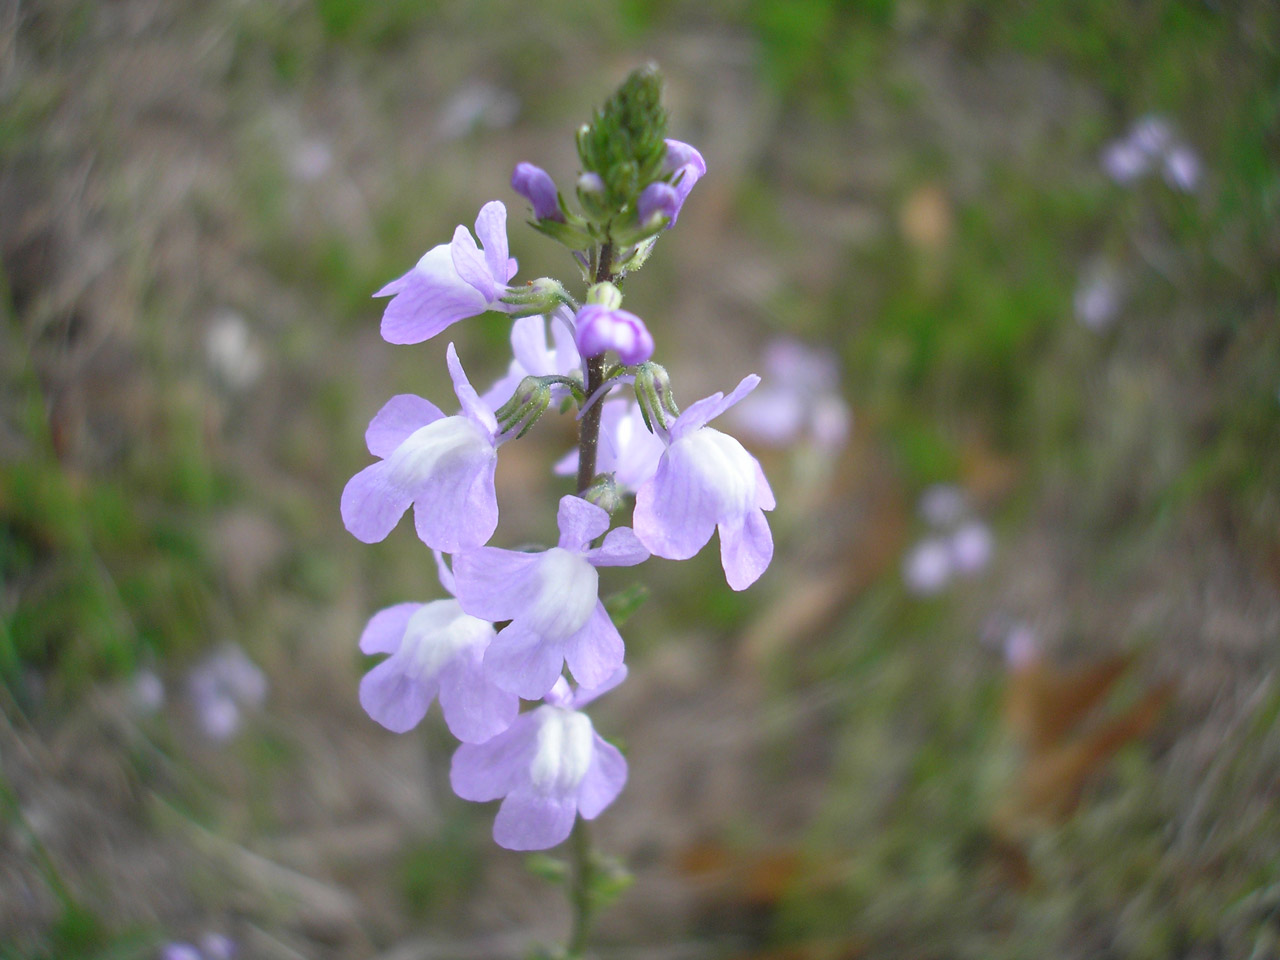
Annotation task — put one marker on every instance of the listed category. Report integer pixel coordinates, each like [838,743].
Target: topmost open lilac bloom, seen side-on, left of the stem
[451,282]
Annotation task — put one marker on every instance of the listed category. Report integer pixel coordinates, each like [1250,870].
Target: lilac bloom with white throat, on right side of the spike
[706,481]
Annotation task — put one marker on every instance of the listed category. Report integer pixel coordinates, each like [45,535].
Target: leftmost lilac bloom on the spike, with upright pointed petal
[445,467]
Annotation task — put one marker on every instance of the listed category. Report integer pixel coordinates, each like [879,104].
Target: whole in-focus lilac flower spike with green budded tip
[518,625]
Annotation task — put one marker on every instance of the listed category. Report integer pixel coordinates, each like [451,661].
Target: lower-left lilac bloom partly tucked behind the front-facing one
[436,650]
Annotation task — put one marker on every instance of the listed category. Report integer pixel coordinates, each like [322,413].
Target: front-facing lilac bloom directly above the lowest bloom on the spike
[552,601]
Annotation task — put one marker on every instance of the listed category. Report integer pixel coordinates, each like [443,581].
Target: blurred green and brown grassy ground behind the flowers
[196,203]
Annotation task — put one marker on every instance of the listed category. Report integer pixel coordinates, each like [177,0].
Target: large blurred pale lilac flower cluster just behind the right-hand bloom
[802,396]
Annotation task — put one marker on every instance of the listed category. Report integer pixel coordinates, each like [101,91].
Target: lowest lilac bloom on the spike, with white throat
[547,769]
